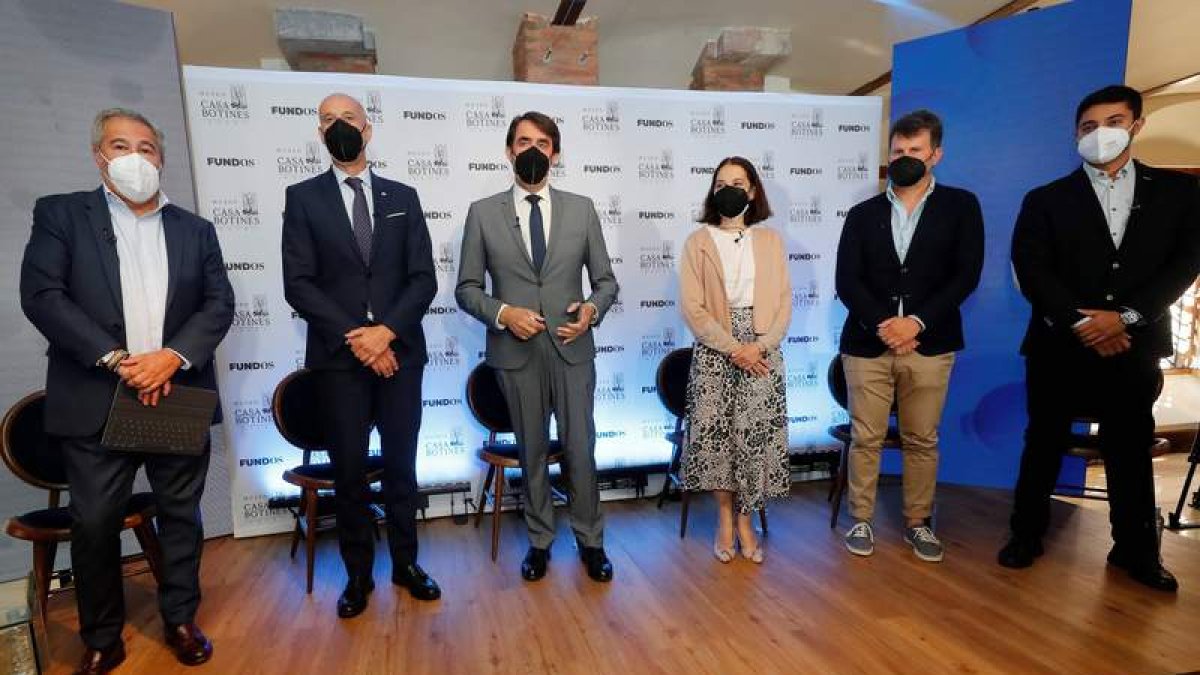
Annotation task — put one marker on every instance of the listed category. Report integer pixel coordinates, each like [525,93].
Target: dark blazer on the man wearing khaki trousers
[940,272]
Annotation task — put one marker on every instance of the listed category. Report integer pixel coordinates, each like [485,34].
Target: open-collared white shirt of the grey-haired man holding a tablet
[142,256]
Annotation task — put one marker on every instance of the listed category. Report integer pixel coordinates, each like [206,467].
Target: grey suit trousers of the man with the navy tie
[548,384]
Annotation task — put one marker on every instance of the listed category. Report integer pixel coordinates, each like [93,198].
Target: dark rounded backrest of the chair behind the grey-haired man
[31,453]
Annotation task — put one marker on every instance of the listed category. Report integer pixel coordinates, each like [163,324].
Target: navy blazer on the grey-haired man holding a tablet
[71,291]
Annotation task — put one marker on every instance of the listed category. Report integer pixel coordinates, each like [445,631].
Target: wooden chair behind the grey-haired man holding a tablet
[37,458]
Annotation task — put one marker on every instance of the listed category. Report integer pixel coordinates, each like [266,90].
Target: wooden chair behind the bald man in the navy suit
[296,409]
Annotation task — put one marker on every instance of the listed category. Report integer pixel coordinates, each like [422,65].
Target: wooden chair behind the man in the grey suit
[488,405]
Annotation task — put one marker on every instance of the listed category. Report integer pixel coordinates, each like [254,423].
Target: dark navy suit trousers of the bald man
[355,402]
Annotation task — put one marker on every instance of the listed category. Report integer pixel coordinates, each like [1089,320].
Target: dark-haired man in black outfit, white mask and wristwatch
[1101,254]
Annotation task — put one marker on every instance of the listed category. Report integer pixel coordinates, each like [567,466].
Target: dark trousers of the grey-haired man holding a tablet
[101,486]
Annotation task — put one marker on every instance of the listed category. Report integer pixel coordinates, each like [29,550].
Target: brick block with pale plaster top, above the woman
[739,61]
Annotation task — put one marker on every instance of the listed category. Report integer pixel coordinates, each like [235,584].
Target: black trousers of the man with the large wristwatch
[1120,392]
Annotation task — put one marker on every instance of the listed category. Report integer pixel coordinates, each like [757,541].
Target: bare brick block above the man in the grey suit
[556,55]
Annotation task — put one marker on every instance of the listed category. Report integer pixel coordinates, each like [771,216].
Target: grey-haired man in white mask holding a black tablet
[129,290]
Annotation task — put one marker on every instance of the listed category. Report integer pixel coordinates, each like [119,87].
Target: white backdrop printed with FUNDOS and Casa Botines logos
[646,159]
